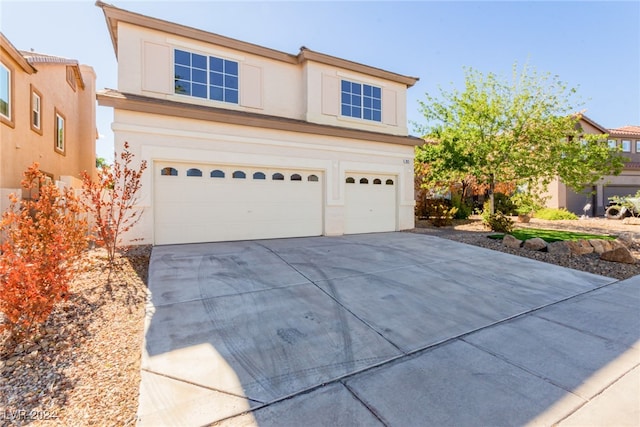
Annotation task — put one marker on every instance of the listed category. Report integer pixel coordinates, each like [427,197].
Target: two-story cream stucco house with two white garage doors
[246,142]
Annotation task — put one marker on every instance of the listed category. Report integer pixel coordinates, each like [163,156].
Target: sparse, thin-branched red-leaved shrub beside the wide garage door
[112,198]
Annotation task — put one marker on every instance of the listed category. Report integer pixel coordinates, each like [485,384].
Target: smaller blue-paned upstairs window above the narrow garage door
[361,101]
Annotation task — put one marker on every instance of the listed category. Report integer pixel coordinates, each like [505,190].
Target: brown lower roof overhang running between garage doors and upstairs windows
[143,104]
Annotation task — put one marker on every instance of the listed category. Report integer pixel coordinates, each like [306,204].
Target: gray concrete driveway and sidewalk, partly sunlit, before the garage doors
[384,329]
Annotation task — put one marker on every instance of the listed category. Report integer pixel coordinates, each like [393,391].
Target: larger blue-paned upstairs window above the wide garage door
[205,77]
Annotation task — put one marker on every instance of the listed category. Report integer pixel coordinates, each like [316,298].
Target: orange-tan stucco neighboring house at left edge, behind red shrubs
[47,115]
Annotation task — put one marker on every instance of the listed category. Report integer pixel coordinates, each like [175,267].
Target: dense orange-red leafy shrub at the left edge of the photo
[44,237]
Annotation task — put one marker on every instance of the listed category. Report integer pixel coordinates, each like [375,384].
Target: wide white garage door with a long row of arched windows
[209,203]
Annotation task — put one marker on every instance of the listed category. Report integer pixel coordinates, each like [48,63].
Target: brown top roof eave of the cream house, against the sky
[114,15]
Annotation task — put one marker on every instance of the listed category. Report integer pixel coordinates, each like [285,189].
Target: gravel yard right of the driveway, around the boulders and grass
[474,233]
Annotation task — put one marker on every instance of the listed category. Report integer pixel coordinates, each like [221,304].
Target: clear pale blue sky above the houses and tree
[594,46]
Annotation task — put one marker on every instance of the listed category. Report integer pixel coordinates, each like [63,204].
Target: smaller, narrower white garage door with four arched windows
[370,203]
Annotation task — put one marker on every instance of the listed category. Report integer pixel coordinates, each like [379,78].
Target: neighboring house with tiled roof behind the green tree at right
[627,183]
